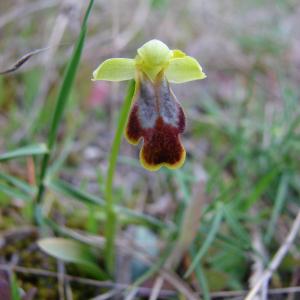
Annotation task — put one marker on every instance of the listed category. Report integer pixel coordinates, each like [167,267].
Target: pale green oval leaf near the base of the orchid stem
[71,251]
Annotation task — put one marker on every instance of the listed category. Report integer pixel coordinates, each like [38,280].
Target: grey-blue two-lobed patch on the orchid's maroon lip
[151,105]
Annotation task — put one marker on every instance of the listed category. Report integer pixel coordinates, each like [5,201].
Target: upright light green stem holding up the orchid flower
[111,222]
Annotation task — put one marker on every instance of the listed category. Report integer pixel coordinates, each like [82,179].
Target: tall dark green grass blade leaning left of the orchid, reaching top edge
[61,101]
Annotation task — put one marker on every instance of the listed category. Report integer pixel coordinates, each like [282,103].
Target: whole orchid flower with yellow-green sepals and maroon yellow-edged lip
[156,116]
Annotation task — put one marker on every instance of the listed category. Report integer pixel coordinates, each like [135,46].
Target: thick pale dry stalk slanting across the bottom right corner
[280,254]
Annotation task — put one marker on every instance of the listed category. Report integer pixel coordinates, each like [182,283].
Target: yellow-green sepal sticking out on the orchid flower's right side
[184,69]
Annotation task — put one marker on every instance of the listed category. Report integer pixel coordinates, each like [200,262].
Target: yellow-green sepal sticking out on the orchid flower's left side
[115,69]
